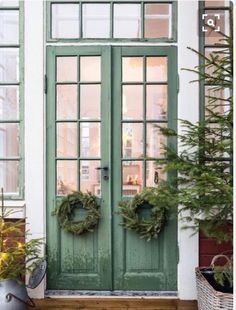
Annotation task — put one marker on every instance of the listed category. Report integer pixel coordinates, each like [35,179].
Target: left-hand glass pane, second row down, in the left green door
[66,101]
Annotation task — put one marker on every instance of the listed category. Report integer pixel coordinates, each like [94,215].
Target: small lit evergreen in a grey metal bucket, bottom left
[16,258]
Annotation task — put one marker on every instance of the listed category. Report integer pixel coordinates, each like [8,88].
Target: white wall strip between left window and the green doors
[34,123]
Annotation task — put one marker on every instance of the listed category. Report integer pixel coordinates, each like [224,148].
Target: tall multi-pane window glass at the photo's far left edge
[11,95]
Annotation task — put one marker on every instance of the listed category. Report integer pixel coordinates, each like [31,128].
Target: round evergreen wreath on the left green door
[67,206]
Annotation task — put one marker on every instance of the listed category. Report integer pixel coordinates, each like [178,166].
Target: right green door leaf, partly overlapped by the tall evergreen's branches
[138,264]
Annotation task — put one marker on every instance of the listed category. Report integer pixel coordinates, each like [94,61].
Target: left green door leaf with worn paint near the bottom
[75,133]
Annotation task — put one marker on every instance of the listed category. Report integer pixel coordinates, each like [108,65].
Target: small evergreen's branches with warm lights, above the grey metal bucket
[16,257]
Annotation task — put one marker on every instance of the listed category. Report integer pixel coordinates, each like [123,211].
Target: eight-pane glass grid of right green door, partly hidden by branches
[146,79]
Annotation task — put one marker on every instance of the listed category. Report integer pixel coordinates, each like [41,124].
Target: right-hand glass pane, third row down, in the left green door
[89,139]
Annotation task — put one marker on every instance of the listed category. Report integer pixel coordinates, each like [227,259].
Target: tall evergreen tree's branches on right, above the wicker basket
[204,163]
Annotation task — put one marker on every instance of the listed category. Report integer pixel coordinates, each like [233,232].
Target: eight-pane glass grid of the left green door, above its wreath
[78,98]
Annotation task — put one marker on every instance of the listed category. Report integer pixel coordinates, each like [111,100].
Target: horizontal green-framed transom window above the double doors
[116,20]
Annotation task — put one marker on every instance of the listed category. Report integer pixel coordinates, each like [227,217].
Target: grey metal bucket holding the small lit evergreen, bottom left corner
[10,291]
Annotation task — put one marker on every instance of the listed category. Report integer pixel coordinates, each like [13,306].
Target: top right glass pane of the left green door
[90,68]
